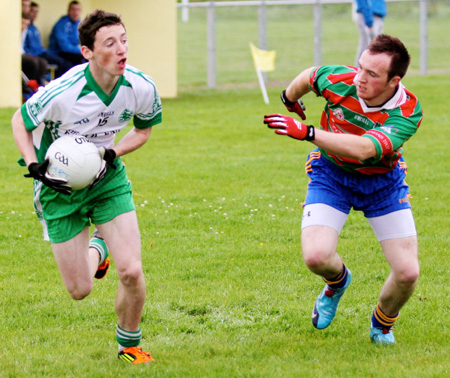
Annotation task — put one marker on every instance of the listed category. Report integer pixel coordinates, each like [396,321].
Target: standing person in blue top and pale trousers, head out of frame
[369,19]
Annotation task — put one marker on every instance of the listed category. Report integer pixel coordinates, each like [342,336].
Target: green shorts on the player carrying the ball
[66,216]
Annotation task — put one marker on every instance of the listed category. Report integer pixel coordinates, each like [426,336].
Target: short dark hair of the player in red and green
[392,46]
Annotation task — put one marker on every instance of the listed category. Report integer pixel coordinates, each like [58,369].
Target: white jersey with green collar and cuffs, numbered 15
[75,104]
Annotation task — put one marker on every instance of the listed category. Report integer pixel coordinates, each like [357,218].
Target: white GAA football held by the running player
[75,159]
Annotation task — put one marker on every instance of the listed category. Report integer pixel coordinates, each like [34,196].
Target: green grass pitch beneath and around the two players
[219,197]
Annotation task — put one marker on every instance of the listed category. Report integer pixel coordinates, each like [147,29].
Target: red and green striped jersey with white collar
[388,126]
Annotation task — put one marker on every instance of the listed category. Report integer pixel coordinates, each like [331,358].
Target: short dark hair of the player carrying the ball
[93,22]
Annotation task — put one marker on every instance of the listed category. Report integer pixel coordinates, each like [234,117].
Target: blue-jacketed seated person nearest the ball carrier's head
[64,36]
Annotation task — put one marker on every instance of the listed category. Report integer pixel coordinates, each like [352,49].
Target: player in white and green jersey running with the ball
[95,100]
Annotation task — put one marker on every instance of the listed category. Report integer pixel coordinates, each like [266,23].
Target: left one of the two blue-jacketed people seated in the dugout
[33,44]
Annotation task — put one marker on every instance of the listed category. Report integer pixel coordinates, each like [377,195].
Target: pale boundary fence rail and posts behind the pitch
[262,26]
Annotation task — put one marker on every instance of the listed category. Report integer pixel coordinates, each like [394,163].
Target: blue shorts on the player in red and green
[374,195]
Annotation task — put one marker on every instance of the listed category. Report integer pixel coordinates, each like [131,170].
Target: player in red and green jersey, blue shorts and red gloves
[358,164]
